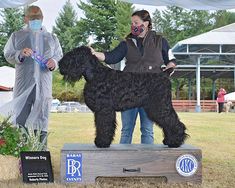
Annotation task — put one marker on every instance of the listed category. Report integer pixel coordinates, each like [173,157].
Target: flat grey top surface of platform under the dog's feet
[125,147]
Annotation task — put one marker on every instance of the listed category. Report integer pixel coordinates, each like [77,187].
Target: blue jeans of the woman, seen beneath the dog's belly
[128,125]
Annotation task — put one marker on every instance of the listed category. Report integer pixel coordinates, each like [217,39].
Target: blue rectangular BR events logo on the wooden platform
[74,167]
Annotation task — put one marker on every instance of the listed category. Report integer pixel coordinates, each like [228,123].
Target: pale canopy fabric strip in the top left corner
[14,3]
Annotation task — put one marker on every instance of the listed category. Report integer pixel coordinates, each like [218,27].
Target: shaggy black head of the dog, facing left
[75,63]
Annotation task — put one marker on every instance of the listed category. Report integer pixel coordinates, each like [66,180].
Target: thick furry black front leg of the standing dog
[105,122]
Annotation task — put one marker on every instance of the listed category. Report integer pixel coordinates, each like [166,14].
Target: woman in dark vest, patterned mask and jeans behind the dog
[145,51]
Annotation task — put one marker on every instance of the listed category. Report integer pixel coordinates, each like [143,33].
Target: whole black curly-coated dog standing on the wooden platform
[107,91]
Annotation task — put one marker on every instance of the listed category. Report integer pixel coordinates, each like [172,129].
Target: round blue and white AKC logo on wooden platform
[186,165]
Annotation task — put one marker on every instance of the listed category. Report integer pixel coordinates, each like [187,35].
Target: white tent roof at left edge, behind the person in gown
[7,78]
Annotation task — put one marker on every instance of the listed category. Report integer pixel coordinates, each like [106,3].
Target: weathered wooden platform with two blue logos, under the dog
[83,163]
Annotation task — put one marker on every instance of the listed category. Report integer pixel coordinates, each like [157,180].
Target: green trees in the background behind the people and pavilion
[107,23]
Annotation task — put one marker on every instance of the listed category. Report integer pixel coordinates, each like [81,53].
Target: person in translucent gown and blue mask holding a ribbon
[35,54]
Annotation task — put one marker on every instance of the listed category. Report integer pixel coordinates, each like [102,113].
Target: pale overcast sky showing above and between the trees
[51,10]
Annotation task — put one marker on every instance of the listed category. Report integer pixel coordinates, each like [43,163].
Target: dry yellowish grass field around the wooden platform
[213,133]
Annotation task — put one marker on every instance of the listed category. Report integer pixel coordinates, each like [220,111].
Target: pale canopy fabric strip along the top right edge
[189,4]
